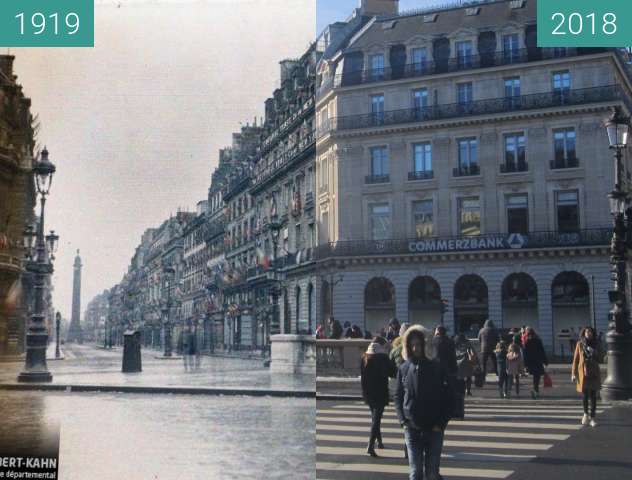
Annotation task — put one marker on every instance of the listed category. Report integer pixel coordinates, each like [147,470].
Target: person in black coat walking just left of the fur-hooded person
[375,368]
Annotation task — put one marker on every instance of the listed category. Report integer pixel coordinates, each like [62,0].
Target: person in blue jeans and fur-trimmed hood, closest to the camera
[424,403]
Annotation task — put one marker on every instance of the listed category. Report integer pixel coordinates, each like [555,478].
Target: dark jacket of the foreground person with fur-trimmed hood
[423,398]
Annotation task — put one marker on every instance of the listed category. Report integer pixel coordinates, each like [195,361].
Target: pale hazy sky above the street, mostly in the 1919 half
[134,124]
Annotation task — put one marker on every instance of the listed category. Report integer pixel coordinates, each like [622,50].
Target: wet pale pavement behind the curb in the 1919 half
[89,368]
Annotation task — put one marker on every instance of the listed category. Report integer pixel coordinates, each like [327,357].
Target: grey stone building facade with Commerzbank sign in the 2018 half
[456,164]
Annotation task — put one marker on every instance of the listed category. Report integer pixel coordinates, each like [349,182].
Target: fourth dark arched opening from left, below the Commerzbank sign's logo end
[519,301]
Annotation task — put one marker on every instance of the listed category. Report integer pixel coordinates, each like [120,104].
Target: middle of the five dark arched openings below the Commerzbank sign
[470,304]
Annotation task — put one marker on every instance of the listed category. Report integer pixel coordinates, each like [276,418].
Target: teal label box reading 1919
[46,23]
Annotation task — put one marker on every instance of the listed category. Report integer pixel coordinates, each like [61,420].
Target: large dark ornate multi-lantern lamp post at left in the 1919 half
[35,369]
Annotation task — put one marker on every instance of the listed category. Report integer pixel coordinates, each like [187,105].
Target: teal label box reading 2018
[584,23]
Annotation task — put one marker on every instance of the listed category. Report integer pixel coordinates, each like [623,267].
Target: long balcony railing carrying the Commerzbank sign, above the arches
[497,241]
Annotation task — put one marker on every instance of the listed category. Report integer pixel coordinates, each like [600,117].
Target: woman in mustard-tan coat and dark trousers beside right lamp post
[585,372]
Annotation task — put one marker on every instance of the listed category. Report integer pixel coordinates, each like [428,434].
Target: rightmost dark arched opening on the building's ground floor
[570,305]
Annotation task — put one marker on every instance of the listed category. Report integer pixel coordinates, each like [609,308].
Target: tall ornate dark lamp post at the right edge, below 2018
[618,384]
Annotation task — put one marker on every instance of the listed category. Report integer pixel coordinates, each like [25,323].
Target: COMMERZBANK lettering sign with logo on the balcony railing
[491,242]
